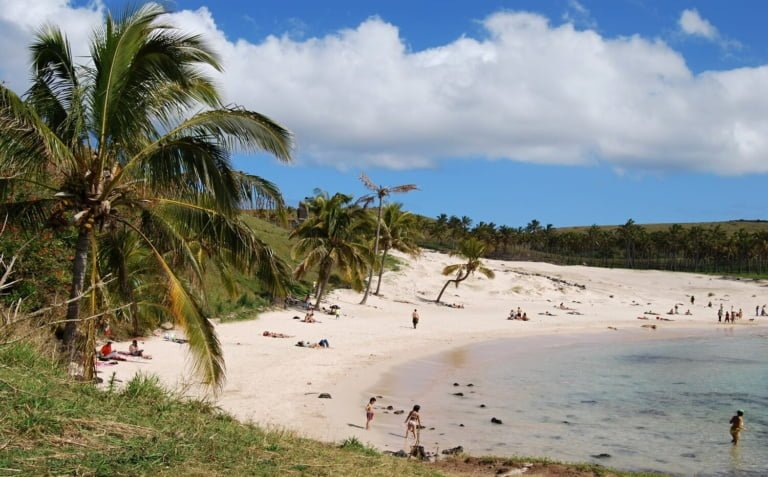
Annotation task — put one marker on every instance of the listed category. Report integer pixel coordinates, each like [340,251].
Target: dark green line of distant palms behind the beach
[708,248]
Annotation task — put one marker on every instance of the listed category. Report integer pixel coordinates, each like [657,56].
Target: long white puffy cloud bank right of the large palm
[527,90]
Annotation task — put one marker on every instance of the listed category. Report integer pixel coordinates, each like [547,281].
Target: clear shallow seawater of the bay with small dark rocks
[650,404]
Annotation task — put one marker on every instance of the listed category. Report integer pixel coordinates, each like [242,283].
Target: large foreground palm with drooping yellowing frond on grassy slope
[137,137]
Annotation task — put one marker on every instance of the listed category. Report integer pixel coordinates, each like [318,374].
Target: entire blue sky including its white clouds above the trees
[568,112]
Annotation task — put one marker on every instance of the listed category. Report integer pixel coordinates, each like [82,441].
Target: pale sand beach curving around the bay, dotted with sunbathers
[272,382]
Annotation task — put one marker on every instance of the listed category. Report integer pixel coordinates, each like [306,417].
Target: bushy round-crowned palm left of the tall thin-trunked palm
[332,238]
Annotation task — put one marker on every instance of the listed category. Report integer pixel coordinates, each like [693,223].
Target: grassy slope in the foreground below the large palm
[54,426]
